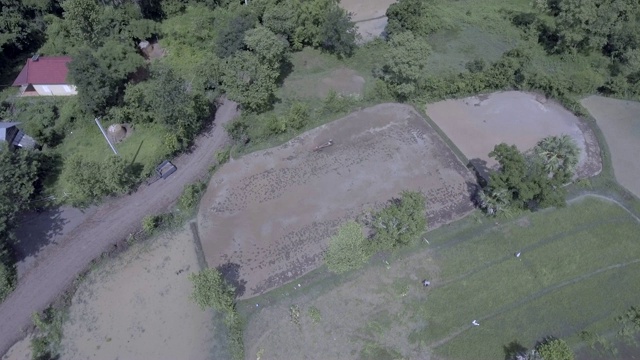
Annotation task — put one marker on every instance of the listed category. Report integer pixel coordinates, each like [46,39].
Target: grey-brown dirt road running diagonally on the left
[109,224]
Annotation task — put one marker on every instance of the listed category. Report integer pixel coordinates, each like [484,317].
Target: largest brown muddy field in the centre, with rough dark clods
[268,215]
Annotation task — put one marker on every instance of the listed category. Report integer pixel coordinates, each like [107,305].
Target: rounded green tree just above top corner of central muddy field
[405,63]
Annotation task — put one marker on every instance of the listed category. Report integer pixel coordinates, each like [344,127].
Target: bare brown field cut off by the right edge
[619,121]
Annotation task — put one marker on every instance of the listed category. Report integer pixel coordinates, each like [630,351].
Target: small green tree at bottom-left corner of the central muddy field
[210,290]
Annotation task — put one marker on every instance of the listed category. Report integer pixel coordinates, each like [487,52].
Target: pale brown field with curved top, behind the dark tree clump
[476,124]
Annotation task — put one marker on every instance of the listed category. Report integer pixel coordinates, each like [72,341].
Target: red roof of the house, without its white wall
[47,70]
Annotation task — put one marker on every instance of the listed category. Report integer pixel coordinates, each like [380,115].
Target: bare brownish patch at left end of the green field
[371,309]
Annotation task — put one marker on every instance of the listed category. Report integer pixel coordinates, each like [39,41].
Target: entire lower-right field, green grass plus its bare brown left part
[579,268]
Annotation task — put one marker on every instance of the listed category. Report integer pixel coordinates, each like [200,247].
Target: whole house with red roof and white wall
[45,76]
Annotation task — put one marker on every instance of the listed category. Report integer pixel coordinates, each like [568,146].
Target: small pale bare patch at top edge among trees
[369,16]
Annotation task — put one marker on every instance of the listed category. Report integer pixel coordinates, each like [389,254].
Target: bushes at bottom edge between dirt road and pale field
[46,342]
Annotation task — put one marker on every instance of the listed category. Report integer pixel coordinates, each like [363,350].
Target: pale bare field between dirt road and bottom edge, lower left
[137,306]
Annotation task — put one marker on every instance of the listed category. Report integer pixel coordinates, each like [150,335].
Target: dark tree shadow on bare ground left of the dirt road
[37,230]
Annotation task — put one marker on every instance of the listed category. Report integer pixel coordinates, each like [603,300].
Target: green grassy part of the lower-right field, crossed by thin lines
[574,260]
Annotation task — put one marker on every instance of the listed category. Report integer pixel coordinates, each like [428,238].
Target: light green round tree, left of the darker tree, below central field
[347,249]
